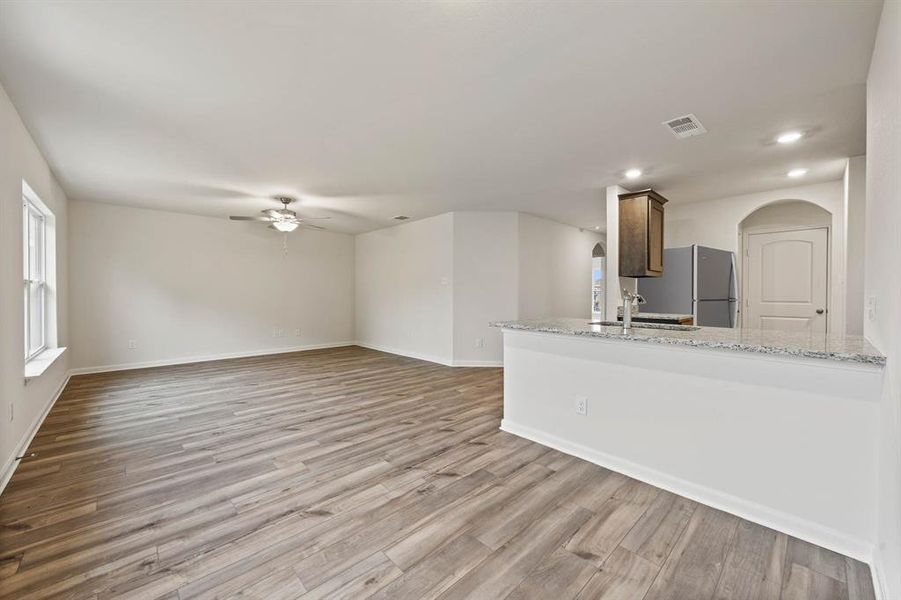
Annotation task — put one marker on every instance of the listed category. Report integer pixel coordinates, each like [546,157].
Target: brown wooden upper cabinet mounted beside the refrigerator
[641,234]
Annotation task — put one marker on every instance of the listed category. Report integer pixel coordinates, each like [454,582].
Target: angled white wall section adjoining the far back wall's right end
[404,289]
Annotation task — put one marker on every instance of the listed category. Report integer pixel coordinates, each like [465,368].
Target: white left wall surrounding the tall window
[20,160]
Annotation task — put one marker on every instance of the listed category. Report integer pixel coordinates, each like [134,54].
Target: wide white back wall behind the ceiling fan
[188,287]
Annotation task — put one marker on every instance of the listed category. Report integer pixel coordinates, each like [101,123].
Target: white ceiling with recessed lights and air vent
[372,109]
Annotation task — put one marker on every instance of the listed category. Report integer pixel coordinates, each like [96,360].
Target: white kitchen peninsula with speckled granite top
[757,423]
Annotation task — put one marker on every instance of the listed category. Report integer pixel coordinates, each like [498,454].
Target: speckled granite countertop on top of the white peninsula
[829,347]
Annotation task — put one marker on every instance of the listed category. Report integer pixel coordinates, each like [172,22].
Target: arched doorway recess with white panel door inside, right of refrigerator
[786,267]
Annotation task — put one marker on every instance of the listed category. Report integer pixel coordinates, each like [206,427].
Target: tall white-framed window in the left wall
[35,268]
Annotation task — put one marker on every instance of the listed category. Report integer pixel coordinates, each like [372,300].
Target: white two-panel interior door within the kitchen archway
[788,281]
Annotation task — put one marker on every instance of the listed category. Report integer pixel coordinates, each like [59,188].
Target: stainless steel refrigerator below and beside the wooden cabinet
[696,280]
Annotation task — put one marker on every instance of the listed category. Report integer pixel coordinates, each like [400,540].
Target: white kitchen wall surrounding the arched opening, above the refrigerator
[715,223]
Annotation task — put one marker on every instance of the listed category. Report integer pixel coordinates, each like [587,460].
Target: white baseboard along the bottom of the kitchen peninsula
[751,511]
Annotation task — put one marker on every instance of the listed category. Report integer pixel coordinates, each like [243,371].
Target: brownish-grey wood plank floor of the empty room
[350,473]
